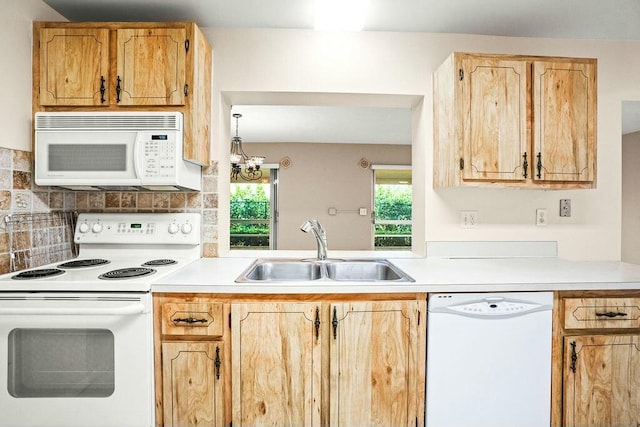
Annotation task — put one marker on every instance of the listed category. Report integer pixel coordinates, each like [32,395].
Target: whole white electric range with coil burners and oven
[76,338]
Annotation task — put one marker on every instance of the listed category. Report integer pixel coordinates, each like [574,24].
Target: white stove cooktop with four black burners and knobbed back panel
[118,252]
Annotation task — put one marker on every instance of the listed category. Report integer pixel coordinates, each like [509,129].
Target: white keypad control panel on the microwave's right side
[159,156]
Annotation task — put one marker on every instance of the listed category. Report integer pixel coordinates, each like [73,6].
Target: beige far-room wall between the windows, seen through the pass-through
[323,176]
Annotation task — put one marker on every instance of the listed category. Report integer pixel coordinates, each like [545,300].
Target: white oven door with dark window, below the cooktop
[76,360]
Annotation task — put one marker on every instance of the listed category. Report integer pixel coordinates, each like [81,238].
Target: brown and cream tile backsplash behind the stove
[20,195]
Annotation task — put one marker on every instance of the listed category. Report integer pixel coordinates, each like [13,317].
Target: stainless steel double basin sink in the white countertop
[340,270]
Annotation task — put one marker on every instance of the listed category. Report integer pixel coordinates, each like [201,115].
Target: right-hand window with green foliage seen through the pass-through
[392,207]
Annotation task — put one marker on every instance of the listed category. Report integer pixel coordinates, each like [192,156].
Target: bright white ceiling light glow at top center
[348,15]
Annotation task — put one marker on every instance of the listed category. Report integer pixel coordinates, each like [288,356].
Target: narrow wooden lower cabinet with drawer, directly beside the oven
[191,360]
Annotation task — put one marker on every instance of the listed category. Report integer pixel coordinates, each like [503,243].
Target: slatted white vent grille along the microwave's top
[110,121]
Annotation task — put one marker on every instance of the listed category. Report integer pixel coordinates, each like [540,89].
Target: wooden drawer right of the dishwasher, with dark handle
[601,313]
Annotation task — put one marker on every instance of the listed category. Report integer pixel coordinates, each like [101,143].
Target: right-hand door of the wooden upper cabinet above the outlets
[564,131]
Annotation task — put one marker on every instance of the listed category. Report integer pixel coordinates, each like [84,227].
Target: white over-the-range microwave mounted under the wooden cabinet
[113,150]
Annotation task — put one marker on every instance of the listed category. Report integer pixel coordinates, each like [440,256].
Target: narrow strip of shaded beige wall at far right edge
[631,198]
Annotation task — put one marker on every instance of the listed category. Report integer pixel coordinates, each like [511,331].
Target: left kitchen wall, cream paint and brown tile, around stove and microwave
[18,192]
